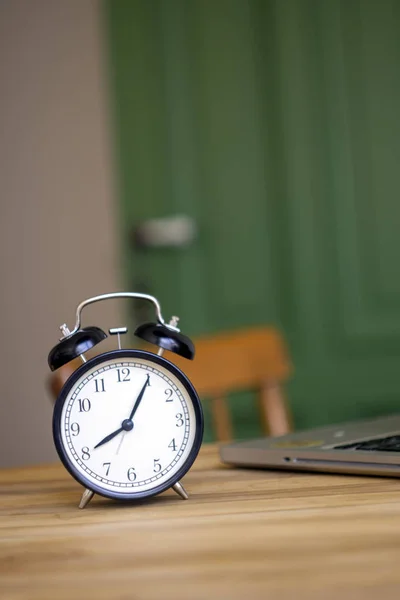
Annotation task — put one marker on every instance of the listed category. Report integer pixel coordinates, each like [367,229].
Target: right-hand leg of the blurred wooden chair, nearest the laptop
[274,412]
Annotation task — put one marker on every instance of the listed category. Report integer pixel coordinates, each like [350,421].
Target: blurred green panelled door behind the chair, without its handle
[274,126]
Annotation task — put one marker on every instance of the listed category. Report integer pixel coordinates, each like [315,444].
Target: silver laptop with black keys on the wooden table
[365,447]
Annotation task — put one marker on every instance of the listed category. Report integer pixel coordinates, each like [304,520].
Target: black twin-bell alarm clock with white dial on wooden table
[128,423]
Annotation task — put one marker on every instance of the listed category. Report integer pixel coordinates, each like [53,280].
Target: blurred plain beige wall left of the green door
[57,221]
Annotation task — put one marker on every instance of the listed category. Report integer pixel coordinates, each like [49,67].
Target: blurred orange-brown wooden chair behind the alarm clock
[250,359]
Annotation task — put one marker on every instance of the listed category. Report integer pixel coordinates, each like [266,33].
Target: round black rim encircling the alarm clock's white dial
[119,355]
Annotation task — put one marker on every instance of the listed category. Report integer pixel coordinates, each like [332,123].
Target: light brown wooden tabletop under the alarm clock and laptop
[243,534]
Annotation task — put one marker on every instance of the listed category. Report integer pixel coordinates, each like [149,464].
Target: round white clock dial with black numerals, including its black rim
[128,424]
